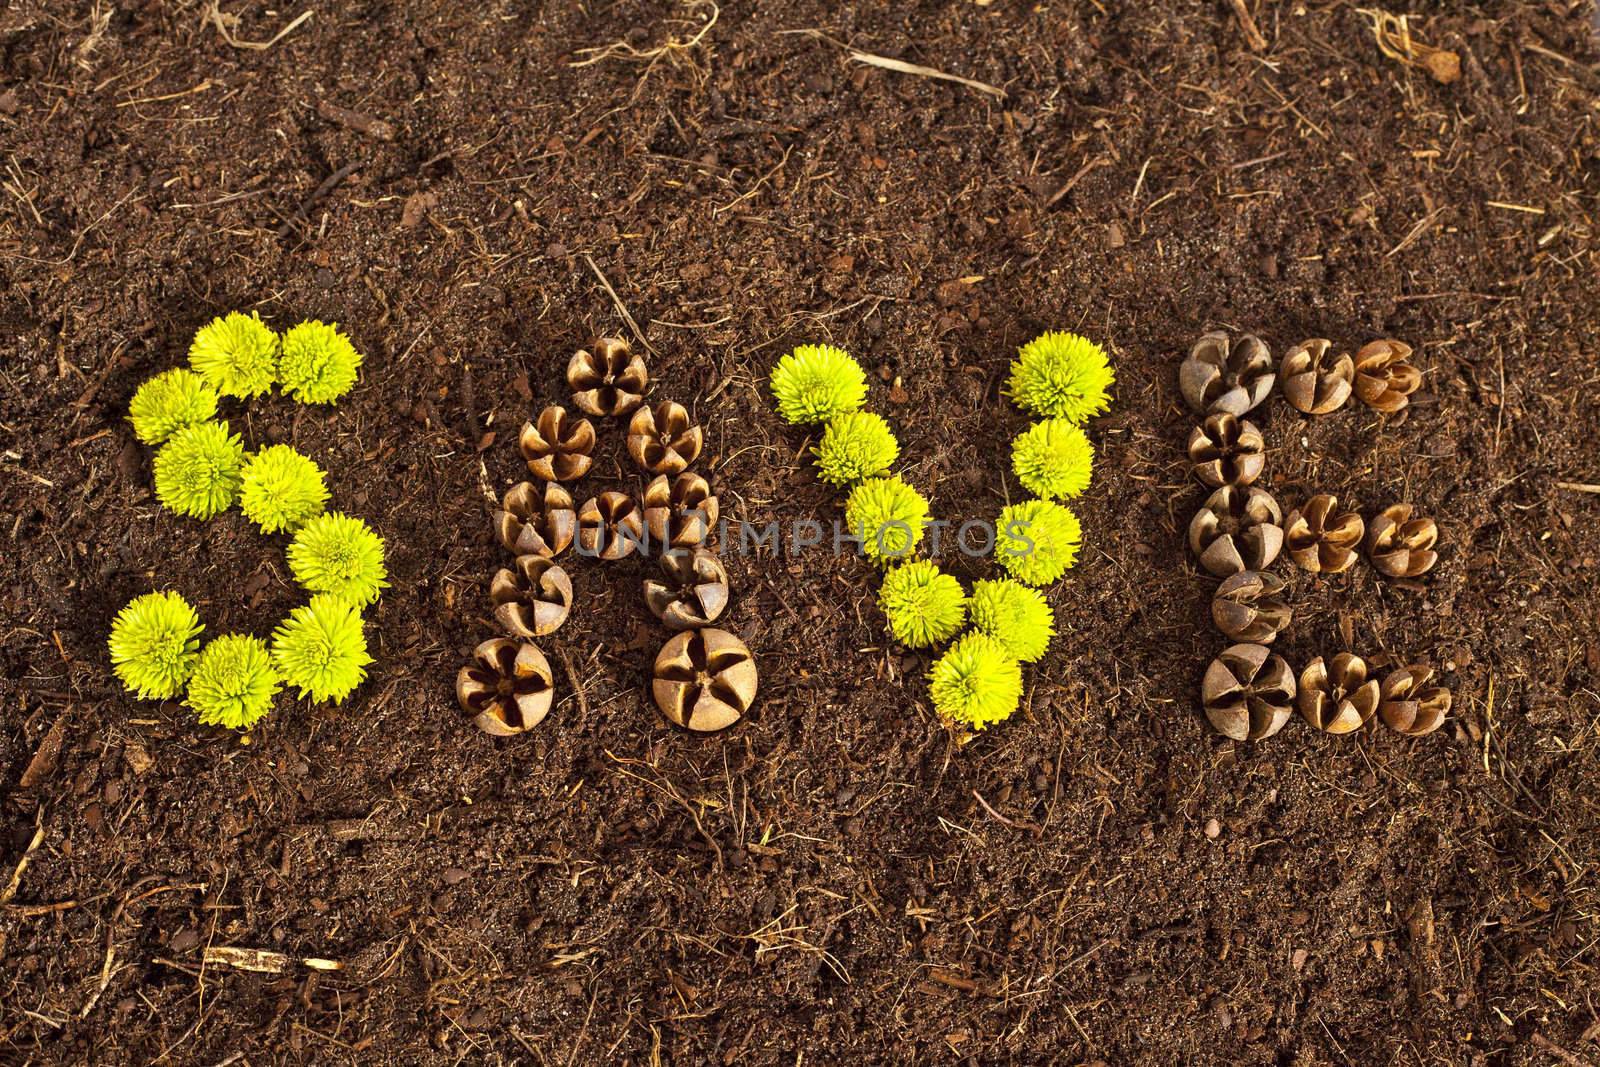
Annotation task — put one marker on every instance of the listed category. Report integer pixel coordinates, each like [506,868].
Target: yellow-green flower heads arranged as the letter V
[978,679]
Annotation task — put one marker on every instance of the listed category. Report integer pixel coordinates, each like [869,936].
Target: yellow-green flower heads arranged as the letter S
[201,471]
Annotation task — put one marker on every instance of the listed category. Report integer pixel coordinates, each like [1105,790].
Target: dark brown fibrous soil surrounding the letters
[834,881]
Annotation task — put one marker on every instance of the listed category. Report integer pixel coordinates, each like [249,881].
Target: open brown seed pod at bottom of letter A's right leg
[705,681]
